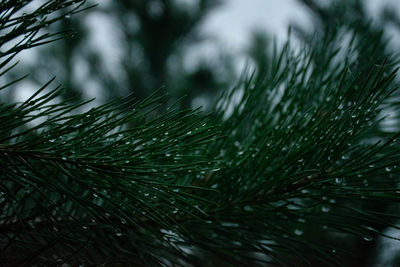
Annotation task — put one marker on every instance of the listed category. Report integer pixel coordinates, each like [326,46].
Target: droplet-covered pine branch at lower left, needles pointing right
[77,179]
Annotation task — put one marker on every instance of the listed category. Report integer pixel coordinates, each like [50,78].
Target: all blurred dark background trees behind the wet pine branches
[153,37]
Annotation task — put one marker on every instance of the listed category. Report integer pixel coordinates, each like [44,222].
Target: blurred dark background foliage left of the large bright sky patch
[150,39]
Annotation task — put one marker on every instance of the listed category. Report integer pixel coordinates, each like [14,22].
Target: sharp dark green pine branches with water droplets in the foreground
[281,172]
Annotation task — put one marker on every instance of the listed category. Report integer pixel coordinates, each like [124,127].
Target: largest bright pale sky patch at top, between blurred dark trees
[234,21]
